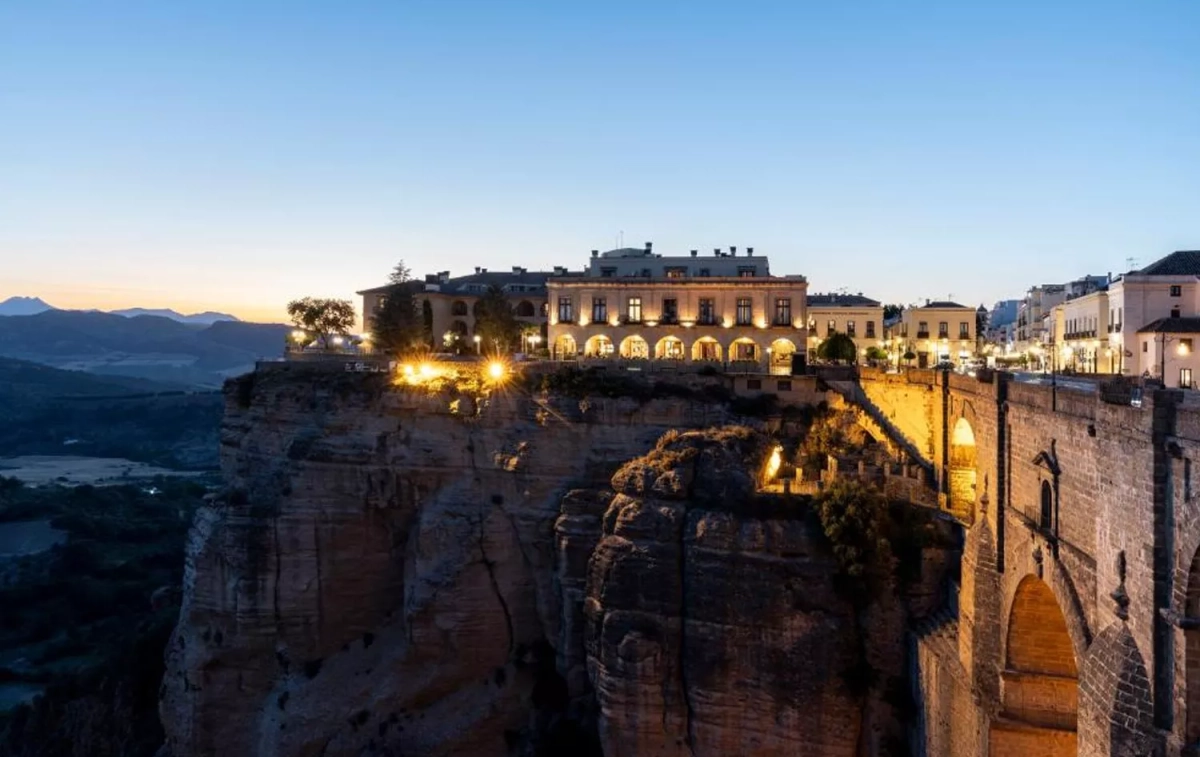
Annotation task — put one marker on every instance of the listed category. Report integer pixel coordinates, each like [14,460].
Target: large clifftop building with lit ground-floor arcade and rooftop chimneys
[632,304]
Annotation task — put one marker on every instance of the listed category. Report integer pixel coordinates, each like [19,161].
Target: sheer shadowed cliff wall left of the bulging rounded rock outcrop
[382,575]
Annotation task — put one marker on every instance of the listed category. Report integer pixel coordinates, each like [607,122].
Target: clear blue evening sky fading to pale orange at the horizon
[235,155]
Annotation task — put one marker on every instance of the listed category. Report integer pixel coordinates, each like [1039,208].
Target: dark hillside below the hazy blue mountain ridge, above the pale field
[46,411]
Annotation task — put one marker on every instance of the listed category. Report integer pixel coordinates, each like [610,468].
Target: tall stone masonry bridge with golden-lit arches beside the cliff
[1076,628]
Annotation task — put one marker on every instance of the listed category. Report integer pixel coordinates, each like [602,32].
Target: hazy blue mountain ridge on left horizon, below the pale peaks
[149,347]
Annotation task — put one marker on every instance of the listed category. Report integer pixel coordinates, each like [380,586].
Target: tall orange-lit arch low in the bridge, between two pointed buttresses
[1041,678]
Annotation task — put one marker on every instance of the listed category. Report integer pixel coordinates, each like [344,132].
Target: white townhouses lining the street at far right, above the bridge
[1142,323]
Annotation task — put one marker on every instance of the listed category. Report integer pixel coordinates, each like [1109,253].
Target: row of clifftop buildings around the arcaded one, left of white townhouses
[719,308]
